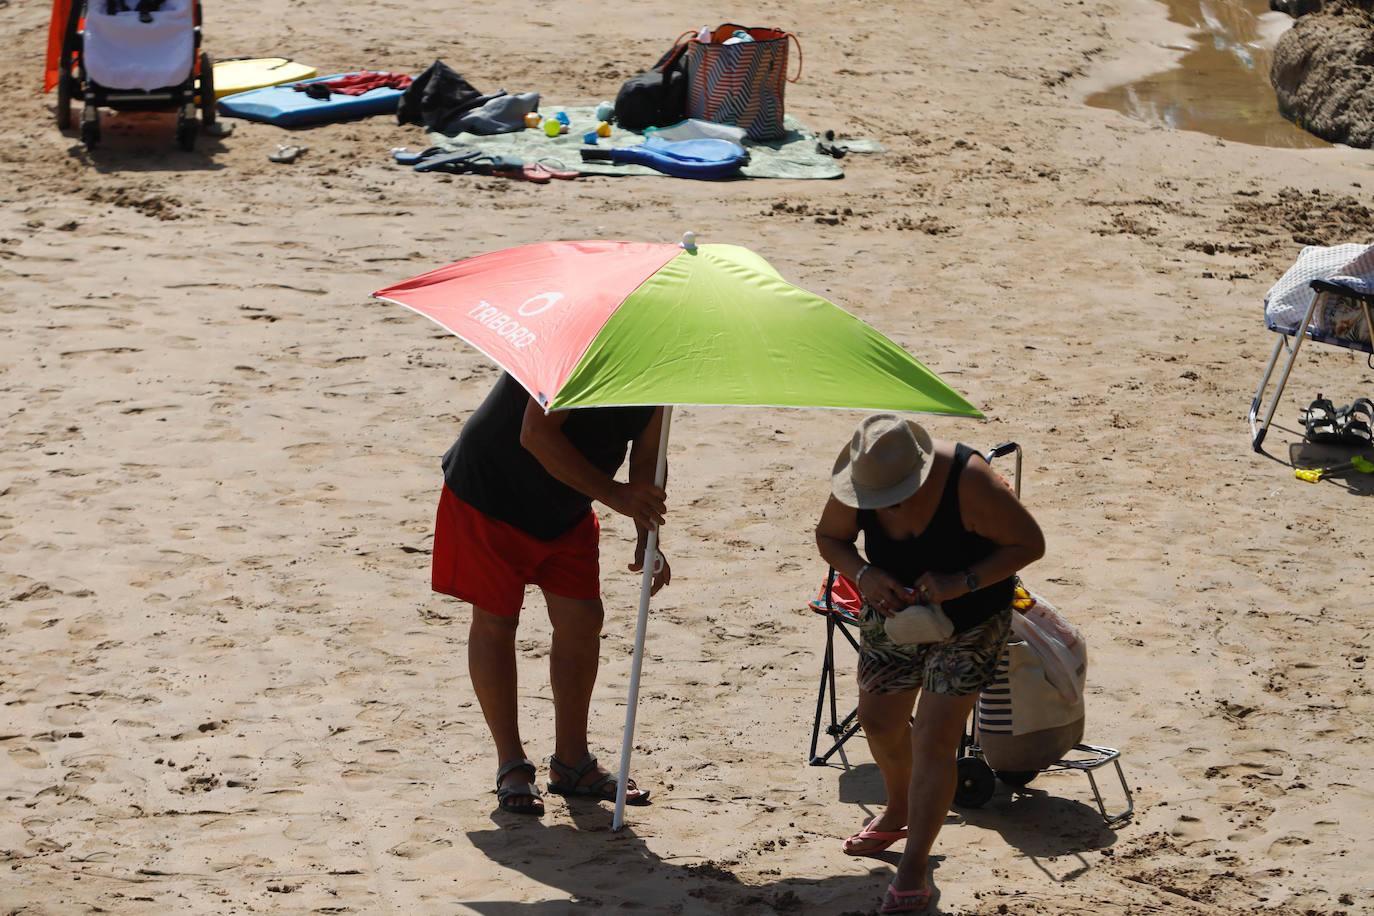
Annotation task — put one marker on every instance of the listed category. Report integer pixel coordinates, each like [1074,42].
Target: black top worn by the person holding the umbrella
[490,470]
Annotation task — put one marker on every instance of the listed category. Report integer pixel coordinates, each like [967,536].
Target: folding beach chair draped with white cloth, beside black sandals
[1329,296]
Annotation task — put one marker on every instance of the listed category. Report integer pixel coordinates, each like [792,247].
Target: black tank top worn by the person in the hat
[945,547]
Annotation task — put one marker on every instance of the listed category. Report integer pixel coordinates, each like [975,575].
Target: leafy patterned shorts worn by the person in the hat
[960,667]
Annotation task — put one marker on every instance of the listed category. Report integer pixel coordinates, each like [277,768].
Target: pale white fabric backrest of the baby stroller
[123,53]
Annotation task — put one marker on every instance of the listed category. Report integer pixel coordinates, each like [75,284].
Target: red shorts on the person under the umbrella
[488,562]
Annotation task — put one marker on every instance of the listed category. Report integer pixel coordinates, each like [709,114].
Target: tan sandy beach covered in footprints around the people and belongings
[227,687]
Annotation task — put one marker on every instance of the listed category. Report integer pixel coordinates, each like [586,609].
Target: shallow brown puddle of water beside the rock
[1221,86]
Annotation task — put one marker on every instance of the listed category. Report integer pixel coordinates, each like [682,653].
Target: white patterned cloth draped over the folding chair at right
[1287,303]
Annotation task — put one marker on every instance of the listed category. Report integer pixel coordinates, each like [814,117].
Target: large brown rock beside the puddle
[1324,72]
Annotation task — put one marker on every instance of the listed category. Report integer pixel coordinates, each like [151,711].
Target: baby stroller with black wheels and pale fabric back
[134,58]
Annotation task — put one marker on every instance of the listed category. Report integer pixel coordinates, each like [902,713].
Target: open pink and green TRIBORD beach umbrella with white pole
[635,323]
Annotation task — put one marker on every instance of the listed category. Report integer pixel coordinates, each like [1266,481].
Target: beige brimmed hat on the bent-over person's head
[886,462]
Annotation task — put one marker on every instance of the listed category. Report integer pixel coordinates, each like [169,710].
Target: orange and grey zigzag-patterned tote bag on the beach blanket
[741,84]
